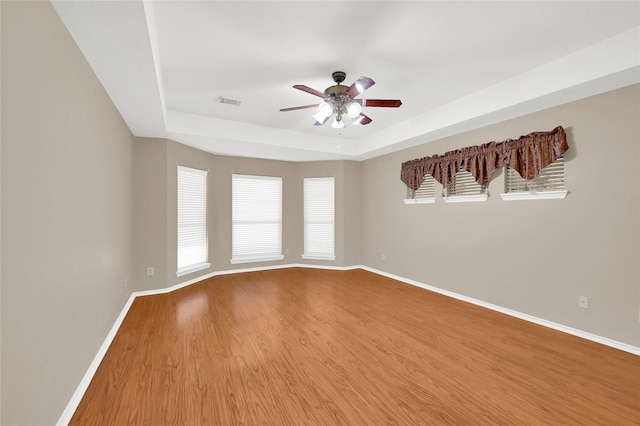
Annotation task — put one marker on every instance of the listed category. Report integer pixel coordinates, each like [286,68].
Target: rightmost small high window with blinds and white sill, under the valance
[548,184]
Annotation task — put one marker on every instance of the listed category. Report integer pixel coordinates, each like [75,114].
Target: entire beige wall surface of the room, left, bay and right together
[85,207]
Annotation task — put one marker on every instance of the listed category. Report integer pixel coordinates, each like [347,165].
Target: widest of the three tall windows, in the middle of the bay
[256,218]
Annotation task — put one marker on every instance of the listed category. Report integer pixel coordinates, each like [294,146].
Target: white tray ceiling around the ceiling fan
[455,66]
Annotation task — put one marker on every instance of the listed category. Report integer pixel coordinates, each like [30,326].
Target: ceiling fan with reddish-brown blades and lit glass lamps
[339,101]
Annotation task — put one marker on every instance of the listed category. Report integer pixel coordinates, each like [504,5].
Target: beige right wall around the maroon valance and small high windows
[535,257]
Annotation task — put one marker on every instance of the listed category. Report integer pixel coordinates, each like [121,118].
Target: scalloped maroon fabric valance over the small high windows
[528,155]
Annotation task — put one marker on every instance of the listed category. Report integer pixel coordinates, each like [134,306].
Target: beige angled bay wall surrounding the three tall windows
[155,213]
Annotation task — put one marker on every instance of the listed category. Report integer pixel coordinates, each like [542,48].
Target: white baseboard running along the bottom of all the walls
[67,414]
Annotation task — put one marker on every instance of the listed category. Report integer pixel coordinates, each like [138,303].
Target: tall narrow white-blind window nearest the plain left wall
[192,220]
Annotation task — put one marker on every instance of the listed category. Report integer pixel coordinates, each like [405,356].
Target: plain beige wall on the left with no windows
[66,214]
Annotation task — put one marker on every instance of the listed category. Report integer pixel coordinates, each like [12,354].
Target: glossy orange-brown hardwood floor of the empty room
[314,347]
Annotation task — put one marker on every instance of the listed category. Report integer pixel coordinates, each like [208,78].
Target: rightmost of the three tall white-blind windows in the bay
[319,214]
